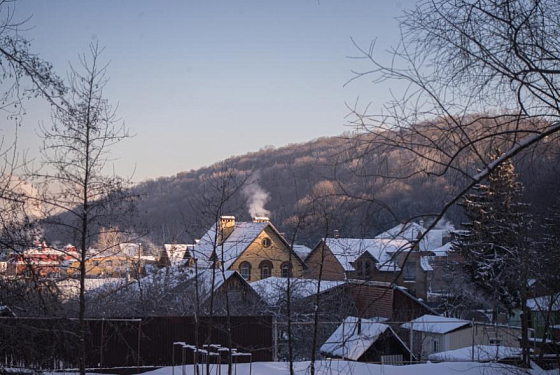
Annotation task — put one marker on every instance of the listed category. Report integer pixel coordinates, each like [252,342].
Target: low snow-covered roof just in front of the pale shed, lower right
[482,353]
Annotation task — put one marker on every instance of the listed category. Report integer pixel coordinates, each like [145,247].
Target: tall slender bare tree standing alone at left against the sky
[79,195]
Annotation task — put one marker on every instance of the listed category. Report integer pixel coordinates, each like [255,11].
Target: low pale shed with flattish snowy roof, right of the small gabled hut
[434,334]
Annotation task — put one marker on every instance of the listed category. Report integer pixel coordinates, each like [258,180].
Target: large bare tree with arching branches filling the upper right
[476,75]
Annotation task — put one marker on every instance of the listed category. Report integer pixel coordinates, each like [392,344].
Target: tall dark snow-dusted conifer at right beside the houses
[495,241]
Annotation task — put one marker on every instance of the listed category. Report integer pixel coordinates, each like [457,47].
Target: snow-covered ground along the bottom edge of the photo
[356,368]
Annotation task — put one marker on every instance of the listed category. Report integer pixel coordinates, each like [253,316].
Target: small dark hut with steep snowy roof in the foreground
[366,340]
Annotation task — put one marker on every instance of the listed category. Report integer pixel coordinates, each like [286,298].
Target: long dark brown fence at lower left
[54,343]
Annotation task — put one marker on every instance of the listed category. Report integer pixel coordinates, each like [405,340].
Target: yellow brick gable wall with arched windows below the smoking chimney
[277,253]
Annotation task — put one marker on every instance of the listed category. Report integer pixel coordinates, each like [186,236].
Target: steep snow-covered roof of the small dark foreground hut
[351,340]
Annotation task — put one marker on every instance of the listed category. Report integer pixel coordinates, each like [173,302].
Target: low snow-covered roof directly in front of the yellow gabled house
[273,289]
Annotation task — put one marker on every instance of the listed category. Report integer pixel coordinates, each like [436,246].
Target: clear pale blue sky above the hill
[199,81]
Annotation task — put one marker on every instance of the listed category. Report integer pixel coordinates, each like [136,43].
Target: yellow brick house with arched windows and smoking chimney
[255,249]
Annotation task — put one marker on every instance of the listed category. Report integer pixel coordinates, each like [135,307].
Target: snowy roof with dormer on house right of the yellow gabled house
[347,250]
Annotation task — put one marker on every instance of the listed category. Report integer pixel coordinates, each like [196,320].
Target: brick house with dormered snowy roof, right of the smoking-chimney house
[393,256]
